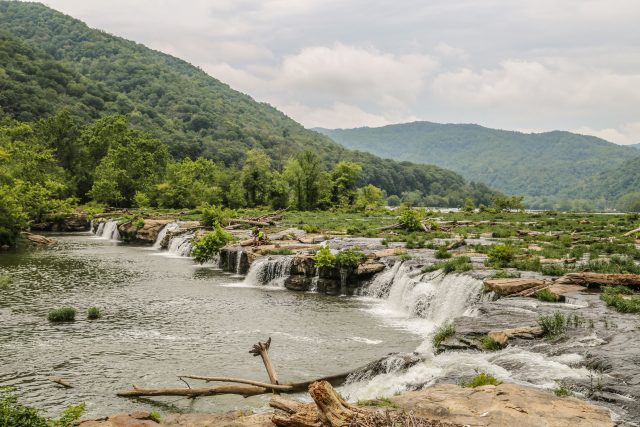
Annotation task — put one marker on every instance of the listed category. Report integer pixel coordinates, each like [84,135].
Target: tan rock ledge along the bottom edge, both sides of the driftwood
[440,405]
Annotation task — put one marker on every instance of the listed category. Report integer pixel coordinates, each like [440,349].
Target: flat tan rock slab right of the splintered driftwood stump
[503,405]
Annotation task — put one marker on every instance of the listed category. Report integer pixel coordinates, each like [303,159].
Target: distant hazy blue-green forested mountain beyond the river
[550,165]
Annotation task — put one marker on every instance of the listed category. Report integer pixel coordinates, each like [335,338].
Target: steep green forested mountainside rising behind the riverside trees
[54,60]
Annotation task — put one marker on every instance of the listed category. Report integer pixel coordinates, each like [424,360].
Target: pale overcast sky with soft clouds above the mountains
[530,65]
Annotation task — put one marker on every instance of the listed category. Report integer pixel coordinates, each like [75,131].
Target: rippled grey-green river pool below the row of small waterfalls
[166,316]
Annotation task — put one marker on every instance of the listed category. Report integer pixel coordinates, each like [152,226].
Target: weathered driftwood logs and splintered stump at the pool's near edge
[328,409]
